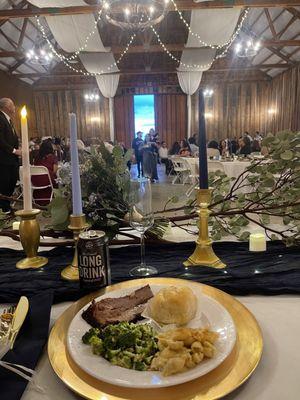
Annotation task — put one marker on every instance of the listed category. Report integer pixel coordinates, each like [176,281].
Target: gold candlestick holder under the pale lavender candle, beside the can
[77,224]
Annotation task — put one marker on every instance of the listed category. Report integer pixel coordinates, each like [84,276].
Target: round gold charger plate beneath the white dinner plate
[228,376]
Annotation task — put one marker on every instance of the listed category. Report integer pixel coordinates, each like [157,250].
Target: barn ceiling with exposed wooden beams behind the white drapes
[278,28]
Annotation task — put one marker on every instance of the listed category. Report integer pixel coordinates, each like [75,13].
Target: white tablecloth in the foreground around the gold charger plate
[276,377]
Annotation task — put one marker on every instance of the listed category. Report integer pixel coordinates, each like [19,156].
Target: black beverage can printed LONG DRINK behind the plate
[93,260]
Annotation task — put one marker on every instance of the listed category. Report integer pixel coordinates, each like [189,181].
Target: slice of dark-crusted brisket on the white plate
[114,310]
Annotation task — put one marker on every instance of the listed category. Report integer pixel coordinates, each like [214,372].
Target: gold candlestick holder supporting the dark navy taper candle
[204,254]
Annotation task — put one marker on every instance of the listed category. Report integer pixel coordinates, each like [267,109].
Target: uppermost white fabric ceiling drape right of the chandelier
[213,26]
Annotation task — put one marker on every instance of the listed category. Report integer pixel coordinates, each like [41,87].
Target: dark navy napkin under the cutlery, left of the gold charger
[28,346]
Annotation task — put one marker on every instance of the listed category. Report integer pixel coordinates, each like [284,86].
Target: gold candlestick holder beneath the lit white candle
[30,238]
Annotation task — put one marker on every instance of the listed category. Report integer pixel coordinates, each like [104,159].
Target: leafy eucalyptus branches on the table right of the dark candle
[269,187]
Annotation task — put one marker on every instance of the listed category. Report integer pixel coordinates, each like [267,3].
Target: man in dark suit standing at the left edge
[9,152]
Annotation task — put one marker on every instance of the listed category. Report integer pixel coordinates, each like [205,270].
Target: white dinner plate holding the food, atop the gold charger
[210,314]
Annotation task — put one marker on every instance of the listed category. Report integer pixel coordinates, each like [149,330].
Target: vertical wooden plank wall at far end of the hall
[235,107]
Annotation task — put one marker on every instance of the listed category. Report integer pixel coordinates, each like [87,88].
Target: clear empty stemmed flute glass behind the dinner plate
[141,218]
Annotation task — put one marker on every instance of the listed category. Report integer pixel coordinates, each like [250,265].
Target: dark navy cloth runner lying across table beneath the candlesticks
[276,271]
